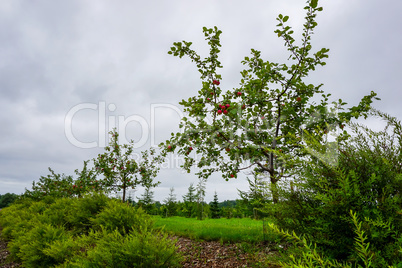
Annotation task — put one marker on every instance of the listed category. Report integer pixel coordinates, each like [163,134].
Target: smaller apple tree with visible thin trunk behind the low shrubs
[121,172]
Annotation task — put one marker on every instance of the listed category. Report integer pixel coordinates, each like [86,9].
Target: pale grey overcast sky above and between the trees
[68,69]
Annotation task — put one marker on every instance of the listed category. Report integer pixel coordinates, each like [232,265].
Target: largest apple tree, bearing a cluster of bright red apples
[259,125]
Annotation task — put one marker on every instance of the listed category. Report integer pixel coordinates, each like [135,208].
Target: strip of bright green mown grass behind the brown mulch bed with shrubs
[225,230]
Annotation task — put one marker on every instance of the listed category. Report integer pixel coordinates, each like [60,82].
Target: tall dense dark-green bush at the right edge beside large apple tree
[367,180]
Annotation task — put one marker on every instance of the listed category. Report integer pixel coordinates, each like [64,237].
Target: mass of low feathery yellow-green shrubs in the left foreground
[93,231]
